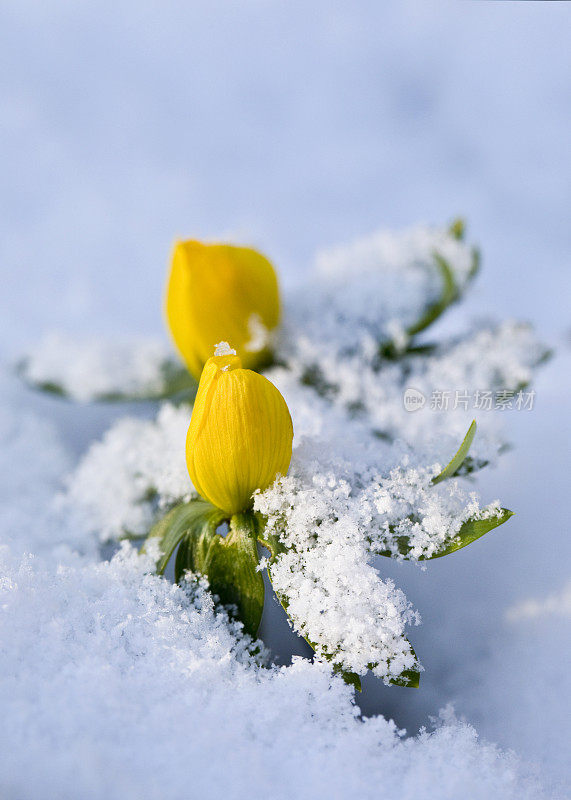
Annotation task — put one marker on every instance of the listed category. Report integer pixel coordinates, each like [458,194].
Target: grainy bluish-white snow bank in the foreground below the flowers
[115,683]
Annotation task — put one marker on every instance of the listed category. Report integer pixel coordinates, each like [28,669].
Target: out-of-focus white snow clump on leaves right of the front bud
[491,357]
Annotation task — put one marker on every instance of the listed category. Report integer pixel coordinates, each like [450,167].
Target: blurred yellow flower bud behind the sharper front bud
[219,292]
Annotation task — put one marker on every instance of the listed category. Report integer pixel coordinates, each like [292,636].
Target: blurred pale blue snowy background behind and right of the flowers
[292,126]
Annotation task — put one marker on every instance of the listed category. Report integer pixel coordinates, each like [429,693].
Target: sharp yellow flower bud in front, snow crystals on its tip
[240,434]
